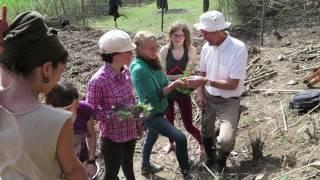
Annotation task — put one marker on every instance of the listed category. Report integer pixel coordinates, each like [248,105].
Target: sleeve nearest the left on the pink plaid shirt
[94,97]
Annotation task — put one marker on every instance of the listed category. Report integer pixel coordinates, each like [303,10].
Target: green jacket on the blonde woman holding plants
[149,84]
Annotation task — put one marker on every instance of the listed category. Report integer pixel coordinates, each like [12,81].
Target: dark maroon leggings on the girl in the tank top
[185,107]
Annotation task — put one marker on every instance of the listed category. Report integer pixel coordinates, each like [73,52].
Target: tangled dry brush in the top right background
[281,13]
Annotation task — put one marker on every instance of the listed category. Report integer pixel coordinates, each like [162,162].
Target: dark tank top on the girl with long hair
[174,67]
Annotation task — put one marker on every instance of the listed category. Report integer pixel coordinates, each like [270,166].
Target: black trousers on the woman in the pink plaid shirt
[116,155]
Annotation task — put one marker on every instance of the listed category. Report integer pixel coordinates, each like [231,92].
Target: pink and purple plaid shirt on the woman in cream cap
[106,89]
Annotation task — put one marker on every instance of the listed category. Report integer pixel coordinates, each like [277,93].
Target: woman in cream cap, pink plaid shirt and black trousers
[111,87]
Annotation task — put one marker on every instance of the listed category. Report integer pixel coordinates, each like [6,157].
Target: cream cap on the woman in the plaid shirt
[116,41]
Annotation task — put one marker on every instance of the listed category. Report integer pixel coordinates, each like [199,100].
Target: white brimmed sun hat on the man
[212,21]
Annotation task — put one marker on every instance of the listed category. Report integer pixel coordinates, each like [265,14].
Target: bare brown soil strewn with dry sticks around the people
[261,116]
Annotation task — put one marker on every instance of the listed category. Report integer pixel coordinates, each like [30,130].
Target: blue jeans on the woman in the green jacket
[160,125]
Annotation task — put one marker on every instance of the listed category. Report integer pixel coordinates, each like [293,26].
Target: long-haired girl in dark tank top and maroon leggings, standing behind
[177,56]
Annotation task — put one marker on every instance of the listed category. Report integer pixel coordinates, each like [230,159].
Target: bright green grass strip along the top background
[144,17]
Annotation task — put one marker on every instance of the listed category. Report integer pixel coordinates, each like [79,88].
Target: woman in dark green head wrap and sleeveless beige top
[34,55]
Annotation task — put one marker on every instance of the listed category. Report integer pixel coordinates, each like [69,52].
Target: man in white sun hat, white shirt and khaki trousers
[222,73]
